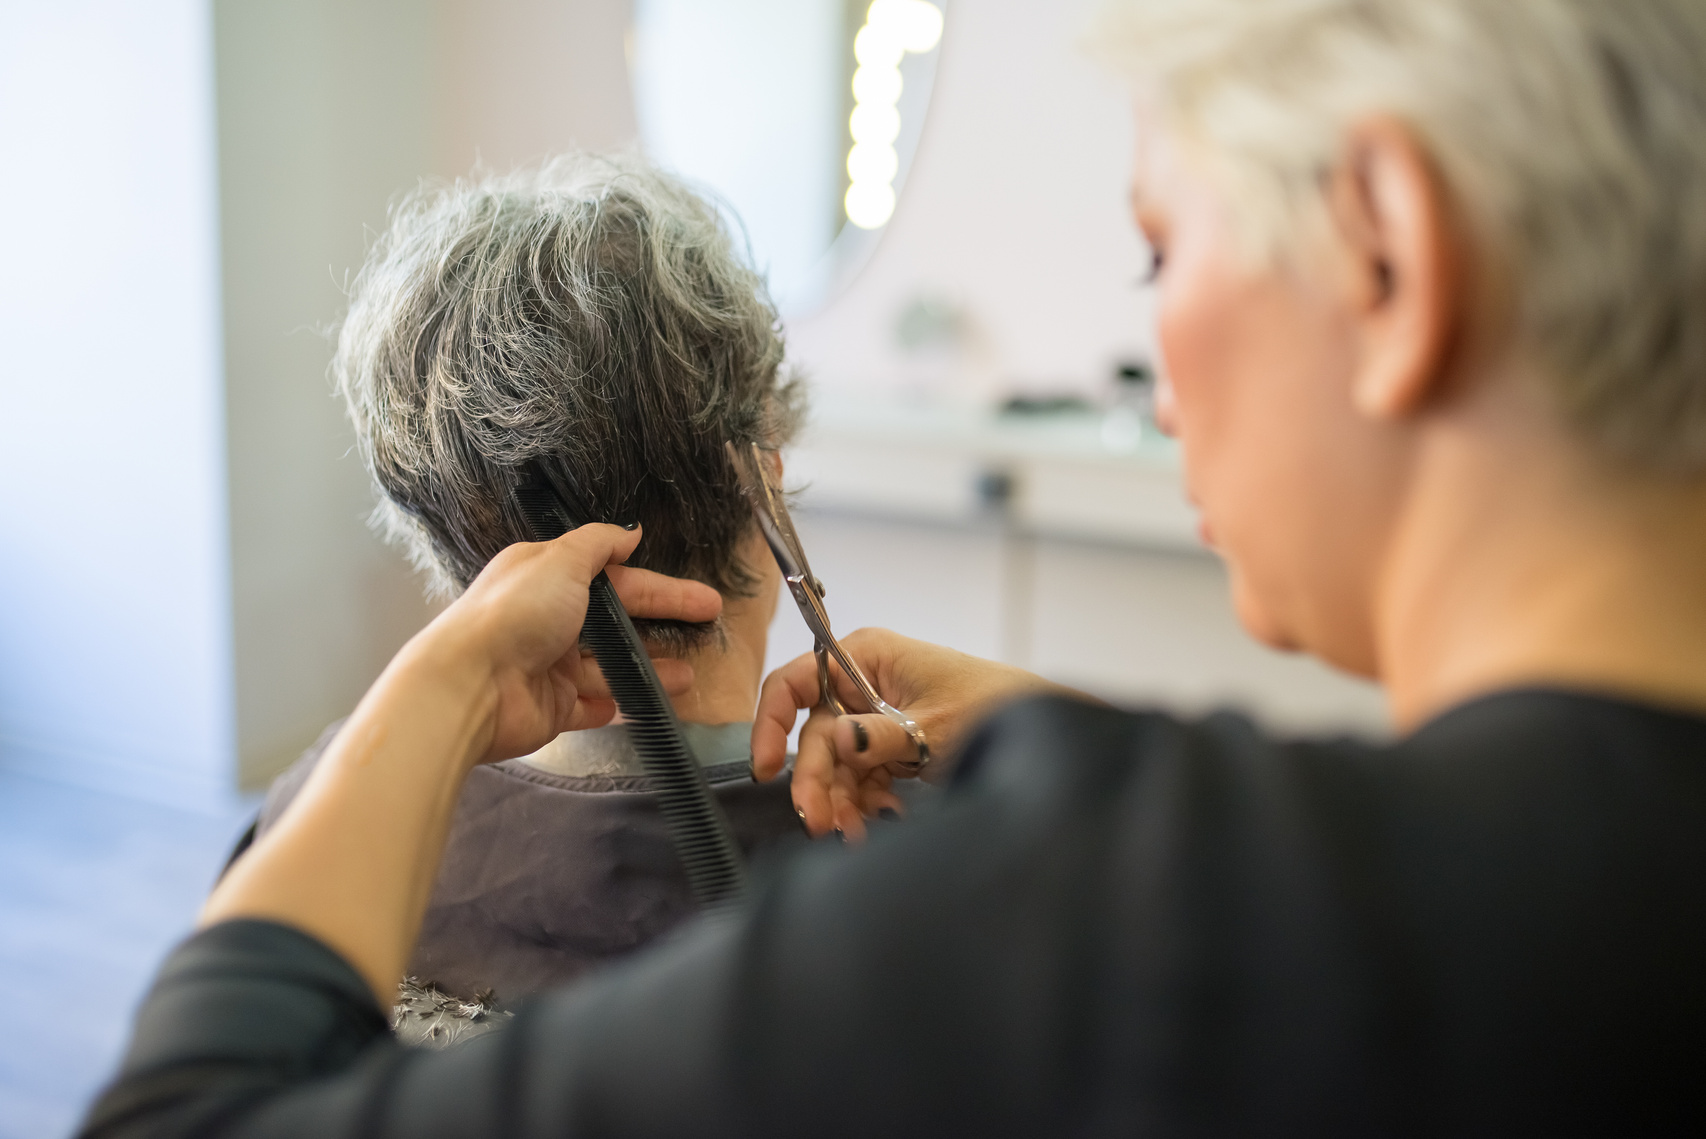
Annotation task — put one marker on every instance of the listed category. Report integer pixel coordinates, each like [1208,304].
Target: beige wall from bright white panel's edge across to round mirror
[328,110]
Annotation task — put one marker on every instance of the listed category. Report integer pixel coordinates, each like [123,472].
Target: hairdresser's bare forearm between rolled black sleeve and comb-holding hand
[354,860]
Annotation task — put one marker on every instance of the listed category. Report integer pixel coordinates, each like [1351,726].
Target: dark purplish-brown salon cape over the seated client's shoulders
[547,876]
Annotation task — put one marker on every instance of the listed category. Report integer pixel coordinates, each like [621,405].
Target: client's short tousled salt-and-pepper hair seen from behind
[591,315]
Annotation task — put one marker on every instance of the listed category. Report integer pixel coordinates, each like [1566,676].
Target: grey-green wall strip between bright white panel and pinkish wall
[323,117]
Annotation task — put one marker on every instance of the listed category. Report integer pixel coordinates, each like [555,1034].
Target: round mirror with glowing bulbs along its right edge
[799,115]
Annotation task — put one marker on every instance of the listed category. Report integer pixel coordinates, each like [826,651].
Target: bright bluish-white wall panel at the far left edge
[113,622]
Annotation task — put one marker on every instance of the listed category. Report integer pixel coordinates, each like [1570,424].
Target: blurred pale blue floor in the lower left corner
[95,891]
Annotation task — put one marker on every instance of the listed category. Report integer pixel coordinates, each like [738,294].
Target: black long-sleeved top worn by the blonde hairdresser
[1115,925]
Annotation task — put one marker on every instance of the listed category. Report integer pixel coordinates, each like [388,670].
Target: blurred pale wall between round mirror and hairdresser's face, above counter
[1014,209]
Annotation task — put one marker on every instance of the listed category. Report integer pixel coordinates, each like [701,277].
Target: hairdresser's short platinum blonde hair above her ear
[1572,134]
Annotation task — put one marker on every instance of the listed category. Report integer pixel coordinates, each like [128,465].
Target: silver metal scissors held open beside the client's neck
[809,596]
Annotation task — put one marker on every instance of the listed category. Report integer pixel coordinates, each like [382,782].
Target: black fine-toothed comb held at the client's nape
[693,816]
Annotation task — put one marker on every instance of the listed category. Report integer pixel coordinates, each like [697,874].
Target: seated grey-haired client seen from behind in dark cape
[595,318]
